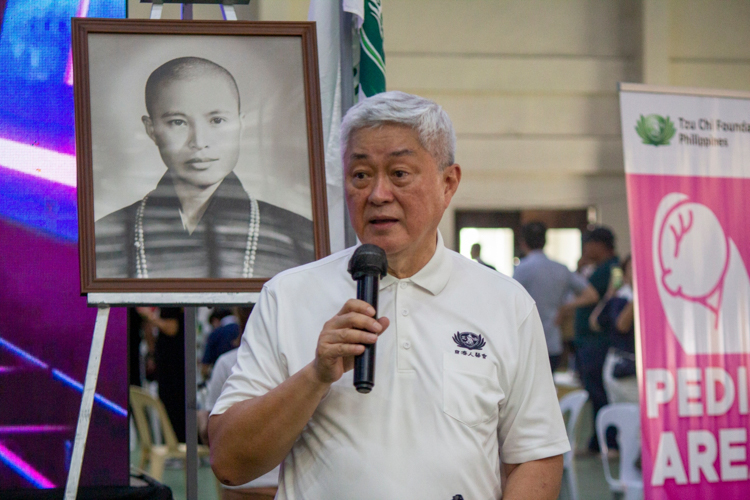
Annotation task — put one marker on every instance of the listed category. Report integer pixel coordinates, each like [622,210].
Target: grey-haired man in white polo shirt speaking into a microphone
[462,376]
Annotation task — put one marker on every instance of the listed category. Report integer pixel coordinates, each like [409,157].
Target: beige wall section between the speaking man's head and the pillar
[532,89]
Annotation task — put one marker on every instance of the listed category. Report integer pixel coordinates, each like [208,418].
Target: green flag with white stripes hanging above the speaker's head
[371,54]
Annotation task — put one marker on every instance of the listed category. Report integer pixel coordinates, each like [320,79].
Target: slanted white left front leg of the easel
[87,402]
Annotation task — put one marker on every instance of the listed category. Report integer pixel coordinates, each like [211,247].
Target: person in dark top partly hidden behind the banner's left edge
[614,315]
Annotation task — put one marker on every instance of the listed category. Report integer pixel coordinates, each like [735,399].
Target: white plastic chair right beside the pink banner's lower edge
[626,418]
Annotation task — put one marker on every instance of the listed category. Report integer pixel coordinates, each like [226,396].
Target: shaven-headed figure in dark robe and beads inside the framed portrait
[199,221]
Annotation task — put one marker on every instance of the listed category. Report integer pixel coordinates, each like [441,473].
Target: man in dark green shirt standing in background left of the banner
[592,346]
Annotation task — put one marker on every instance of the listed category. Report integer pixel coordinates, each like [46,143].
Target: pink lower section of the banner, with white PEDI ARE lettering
[691,246]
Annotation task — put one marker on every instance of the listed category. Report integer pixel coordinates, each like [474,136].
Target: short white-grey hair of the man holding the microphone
[430,121]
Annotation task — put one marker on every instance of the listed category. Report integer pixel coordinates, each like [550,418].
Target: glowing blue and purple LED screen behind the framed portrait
[45,325]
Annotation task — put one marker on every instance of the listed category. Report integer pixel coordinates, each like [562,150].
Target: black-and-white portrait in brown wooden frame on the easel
[200,154]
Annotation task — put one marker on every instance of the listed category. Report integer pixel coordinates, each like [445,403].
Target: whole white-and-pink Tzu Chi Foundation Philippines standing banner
[687,164]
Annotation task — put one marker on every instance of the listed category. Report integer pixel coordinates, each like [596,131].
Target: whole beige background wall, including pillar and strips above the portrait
[531,85]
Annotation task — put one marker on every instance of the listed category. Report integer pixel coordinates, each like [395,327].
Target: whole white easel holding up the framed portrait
[188,300]
